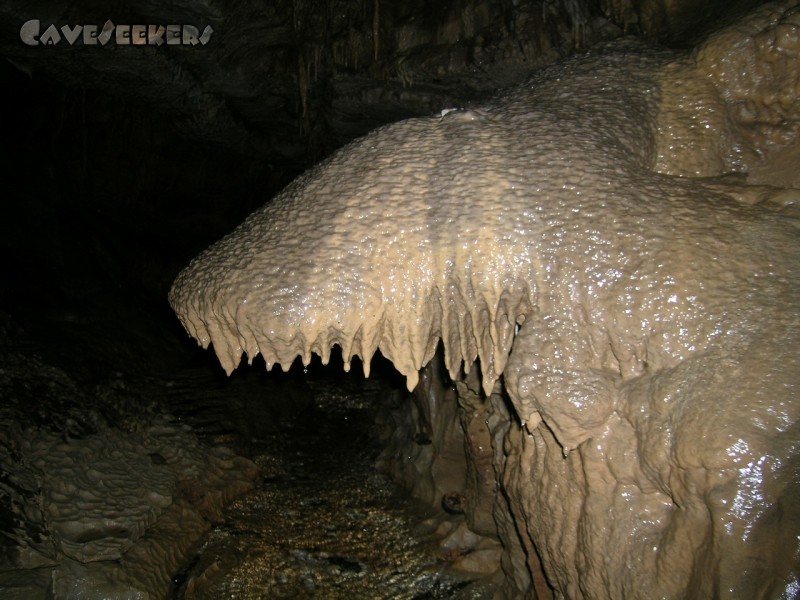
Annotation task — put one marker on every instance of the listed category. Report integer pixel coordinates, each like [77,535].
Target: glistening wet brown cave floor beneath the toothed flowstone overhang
[321,522]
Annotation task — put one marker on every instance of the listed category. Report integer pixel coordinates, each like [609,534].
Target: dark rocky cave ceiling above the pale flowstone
[291,80]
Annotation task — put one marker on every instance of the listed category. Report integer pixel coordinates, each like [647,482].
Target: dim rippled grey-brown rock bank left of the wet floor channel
[102,495]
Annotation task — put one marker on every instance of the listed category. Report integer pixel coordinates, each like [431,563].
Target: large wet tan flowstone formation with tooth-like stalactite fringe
[615,243]
